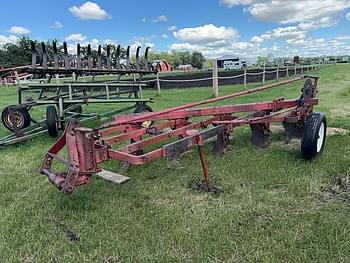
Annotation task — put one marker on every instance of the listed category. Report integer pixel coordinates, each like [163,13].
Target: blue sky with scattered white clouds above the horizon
[215,27]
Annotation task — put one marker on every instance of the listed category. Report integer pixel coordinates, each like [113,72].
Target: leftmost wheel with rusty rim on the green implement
[21,117]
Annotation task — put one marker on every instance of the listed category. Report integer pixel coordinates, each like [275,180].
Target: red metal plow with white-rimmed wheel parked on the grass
[86,148]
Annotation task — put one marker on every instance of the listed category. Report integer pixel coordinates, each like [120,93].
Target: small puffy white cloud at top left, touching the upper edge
[89,11]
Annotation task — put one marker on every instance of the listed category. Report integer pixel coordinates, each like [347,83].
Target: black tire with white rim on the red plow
[310,144]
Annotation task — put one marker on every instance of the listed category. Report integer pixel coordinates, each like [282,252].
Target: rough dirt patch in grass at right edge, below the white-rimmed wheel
[339,190]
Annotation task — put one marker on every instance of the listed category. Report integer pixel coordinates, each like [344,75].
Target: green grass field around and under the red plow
[273,206]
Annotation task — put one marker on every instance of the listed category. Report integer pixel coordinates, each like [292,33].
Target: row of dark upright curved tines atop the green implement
[116,62]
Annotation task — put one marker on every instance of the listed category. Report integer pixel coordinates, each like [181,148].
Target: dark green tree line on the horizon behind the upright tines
[18,54]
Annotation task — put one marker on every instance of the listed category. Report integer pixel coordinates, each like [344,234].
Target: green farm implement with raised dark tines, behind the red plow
[64,100]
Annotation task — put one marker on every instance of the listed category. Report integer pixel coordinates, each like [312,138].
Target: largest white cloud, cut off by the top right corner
[290,11]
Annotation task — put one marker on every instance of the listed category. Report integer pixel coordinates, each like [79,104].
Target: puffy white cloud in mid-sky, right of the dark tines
[206,34]
